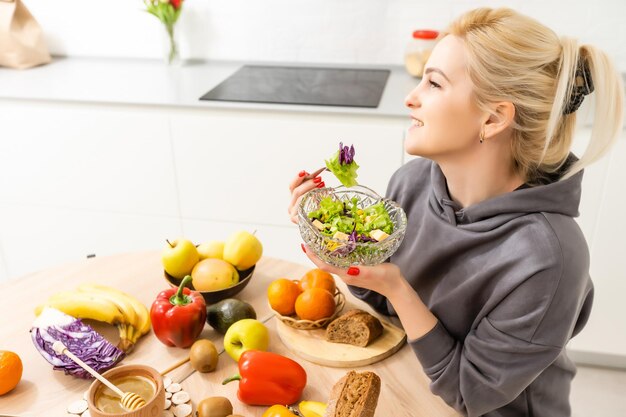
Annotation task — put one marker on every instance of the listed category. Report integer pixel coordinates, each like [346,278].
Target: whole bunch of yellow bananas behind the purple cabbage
[106,304]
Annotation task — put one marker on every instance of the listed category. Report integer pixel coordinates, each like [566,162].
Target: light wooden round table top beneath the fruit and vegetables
[44,392]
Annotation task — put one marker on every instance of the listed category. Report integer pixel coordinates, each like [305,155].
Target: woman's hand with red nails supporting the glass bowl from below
[384,278]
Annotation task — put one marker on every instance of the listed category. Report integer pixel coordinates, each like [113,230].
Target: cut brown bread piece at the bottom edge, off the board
[354,395]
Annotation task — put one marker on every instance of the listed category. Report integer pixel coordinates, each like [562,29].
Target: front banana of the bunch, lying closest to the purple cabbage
[84,306]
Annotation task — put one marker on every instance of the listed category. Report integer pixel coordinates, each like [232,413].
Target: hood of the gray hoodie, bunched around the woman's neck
[560,197]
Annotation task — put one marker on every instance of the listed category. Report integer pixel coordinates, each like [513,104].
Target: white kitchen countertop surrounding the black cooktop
[153,83]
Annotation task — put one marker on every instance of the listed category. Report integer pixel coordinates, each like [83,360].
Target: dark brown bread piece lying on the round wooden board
[355,327]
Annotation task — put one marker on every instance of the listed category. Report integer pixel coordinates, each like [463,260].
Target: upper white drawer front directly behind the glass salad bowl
[236,166]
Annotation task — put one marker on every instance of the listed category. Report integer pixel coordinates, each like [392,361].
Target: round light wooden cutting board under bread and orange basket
[313,347]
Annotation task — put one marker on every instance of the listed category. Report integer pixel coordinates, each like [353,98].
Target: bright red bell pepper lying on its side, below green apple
[268,378]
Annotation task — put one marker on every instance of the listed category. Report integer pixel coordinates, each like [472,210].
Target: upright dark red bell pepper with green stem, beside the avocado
[178,315]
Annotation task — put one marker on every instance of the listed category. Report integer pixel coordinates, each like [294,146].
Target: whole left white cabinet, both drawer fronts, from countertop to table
[78,180]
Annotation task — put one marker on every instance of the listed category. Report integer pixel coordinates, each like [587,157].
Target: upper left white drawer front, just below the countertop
[115,160]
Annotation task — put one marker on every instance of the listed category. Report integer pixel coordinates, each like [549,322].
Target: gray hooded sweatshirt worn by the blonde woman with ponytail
[508,279]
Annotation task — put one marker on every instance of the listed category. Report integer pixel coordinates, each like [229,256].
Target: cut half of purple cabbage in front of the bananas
[79,338]
